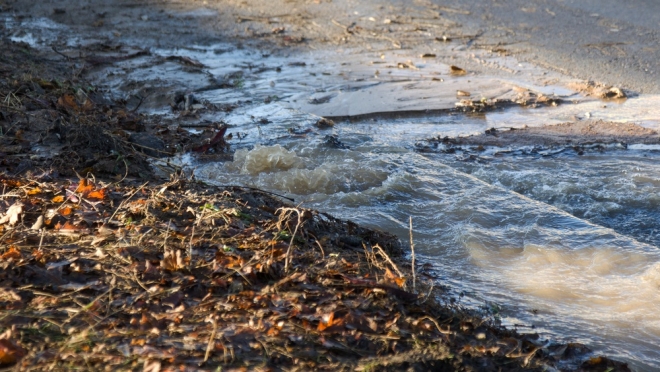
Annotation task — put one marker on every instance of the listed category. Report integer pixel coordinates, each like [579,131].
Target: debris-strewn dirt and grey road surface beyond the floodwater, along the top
[612,42]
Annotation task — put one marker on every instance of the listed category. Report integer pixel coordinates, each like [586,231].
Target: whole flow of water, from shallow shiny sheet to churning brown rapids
[568,244]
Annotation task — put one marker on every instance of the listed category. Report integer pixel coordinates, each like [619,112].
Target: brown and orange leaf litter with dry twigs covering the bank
[116,274]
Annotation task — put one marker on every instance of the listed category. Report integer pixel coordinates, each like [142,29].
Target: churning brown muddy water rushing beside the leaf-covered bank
[565,243]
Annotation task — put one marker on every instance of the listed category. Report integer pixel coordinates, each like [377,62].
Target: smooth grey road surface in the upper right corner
[603,40]
